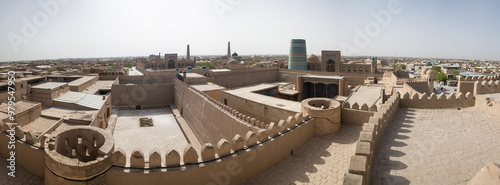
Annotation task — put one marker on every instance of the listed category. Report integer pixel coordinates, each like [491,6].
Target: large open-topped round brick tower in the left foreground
[77,156]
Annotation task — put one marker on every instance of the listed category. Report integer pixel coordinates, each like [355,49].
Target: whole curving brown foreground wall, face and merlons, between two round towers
[226,163]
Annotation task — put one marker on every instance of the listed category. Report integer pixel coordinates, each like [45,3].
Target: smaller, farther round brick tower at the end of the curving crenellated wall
[326,114]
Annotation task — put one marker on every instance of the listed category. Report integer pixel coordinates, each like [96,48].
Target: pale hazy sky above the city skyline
[106,28]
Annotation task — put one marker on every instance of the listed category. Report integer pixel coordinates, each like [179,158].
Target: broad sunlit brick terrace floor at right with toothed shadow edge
[443,146]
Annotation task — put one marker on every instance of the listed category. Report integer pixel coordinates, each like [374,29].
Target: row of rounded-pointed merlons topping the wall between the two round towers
[209,152]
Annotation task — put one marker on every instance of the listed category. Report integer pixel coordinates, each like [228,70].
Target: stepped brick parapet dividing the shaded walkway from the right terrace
[373,130]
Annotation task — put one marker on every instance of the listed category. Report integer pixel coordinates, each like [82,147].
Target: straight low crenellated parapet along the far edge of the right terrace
[437,102]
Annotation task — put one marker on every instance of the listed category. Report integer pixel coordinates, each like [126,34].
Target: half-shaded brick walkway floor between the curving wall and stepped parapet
[321,160]
